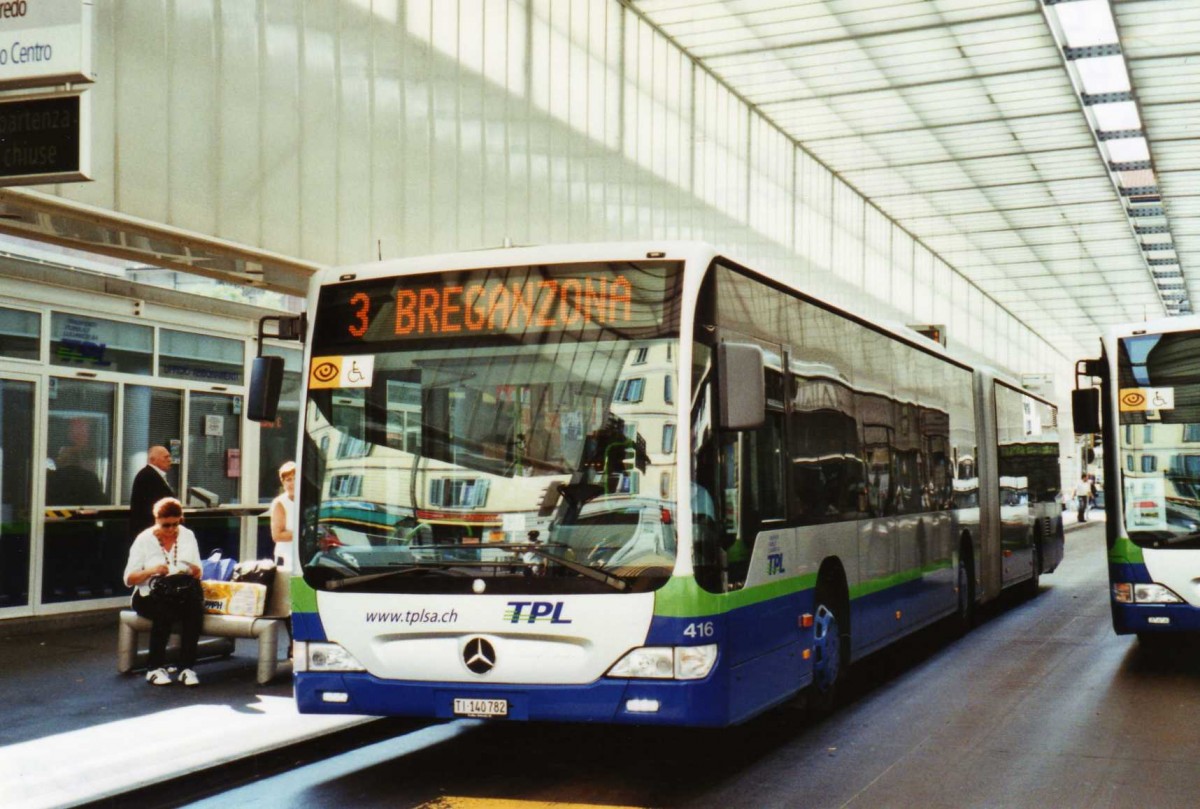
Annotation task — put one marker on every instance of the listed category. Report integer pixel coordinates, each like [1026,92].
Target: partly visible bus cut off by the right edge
[1150,400]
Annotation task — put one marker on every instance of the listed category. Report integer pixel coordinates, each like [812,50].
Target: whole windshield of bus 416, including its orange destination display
[503,430]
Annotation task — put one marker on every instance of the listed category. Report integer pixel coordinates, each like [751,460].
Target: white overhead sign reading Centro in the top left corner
[45,43]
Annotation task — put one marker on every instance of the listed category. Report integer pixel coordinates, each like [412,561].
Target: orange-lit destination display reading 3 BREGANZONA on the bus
[569,299]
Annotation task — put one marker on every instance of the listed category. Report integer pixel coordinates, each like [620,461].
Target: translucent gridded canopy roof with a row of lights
[1043,148]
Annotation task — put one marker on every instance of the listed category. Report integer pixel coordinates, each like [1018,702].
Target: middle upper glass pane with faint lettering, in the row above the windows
[99,345]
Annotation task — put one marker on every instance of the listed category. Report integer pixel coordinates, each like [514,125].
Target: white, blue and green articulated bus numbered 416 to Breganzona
[637,483]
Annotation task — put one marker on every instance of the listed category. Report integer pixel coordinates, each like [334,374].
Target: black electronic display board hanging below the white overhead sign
[45,140]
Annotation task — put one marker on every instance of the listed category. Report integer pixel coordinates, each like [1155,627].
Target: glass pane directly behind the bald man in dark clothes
[152,417]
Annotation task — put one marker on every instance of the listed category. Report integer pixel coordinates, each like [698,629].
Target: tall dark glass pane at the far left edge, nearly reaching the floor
[16,489]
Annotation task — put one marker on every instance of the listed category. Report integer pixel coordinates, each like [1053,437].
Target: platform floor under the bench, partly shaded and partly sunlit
[76,732]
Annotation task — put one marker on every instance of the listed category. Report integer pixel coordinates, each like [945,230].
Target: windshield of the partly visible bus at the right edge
[1160,439]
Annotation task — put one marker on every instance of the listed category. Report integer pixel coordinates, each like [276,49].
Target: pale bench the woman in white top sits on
[218,633]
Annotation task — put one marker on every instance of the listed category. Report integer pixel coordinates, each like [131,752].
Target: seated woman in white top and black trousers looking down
[167,549]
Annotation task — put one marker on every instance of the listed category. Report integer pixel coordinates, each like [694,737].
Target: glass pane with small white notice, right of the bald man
[214,445]
